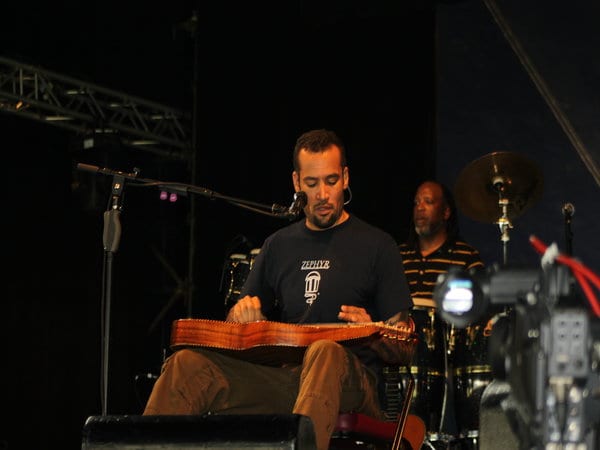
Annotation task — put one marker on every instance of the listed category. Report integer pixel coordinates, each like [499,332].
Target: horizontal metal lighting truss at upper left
[91,110]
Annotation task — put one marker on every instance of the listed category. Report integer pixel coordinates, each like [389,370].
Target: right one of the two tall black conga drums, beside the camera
[472,372]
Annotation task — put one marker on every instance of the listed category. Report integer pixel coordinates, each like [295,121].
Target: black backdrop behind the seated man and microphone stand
[265,73]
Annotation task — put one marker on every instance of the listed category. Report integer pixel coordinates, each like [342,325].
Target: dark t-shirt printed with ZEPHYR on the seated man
[304,276]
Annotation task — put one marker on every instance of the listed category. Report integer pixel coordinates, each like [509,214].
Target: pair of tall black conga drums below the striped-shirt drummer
[448,360]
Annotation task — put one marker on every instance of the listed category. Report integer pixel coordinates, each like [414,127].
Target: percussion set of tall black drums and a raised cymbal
[451,365]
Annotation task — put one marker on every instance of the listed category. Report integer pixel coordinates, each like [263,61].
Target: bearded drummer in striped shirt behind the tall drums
[433,246]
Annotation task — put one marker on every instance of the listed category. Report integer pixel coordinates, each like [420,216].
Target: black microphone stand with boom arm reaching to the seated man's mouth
[112,235]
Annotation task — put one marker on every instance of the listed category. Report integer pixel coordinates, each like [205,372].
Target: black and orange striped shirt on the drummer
[422,271]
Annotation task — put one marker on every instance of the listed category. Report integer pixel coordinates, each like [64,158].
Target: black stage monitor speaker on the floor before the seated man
[273,432]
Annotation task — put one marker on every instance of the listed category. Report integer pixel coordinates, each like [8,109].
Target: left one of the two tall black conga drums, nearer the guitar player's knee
[428,370]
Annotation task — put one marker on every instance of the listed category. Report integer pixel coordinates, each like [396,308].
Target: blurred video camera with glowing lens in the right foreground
[544,345]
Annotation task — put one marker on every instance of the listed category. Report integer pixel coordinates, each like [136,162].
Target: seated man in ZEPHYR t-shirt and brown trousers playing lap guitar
[329,267]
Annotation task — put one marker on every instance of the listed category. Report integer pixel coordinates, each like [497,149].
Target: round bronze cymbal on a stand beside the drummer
[498,175]
